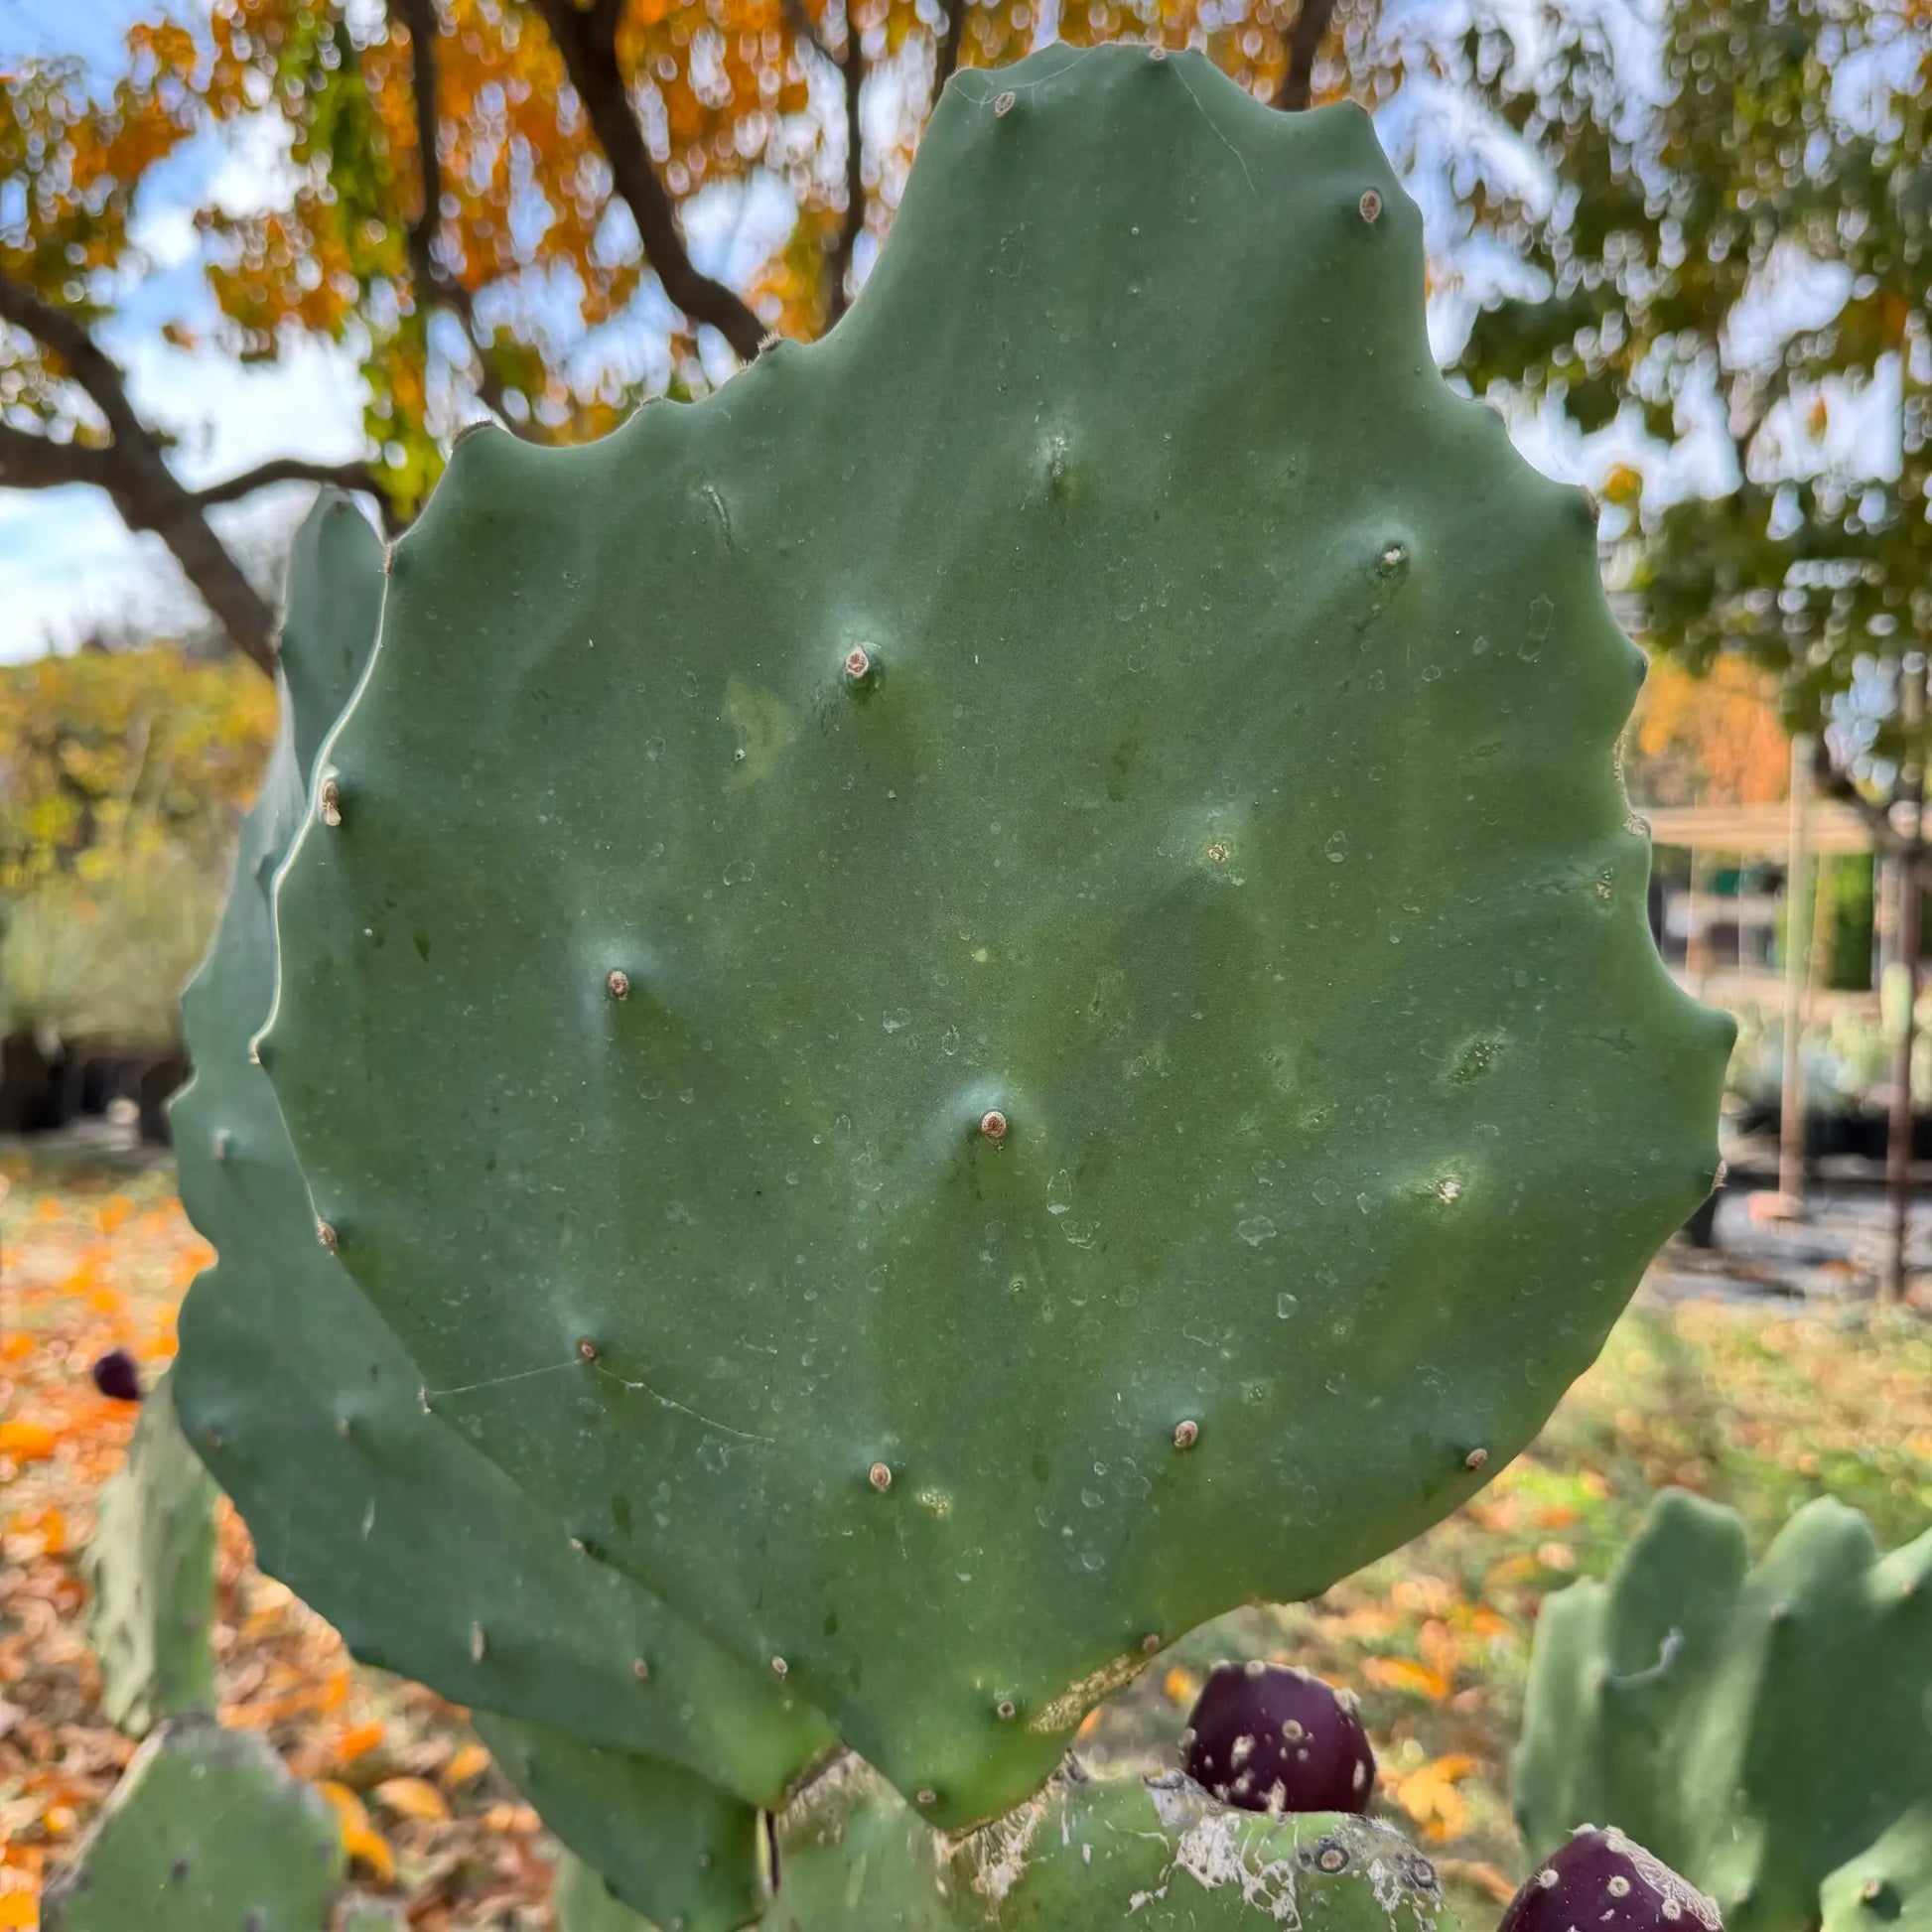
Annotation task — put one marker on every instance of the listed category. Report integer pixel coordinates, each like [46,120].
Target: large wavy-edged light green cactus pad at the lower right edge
[1753,1728]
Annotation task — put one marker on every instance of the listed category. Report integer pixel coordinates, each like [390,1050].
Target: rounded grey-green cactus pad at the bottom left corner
[206,1834]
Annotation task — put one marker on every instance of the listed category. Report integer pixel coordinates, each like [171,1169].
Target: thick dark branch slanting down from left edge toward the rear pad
[136,474]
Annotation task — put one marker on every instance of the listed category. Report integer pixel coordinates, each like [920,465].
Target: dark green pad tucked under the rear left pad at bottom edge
[668,1844]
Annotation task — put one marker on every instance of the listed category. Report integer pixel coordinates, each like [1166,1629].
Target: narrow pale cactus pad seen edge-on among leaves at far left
[152,1572]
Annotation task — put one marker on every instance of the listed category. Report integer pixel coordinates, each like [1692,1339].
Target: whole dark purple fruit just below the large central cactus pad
[1264,1738]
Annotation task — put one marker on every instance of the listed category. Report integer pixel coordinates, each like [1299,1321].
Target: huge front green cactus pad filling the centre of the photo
[992,992]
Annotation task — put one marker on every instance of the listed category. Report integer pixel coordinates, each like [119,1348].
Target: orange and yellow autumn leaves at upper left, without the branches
[530,235]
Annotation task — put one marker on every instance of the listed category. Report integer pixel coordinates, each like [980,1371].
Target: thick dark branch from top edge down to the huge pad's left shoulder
[586,38]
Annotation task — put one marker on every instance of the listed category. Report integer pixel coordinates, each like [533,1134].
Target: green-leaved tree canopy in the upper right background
[1730,237]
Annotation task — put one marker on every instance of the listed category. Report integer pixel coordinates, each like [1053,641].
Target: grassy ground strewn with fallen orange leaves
[1751,1407]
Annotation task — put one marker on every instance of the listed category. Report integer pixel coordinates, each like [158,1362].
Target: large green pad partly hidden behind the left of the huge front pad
[414,1545]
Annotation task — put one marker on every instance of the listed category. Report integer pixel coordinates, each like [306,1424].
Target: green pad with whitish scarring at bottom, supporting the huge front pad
[1114,1854]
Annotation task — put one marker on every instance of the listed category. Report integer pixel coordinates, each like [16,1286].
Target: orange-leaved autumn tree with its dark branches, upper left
[490,208]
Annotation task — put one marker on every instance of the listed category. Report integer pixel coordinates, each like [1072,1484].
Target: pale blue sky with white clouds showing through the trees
[69,567]
